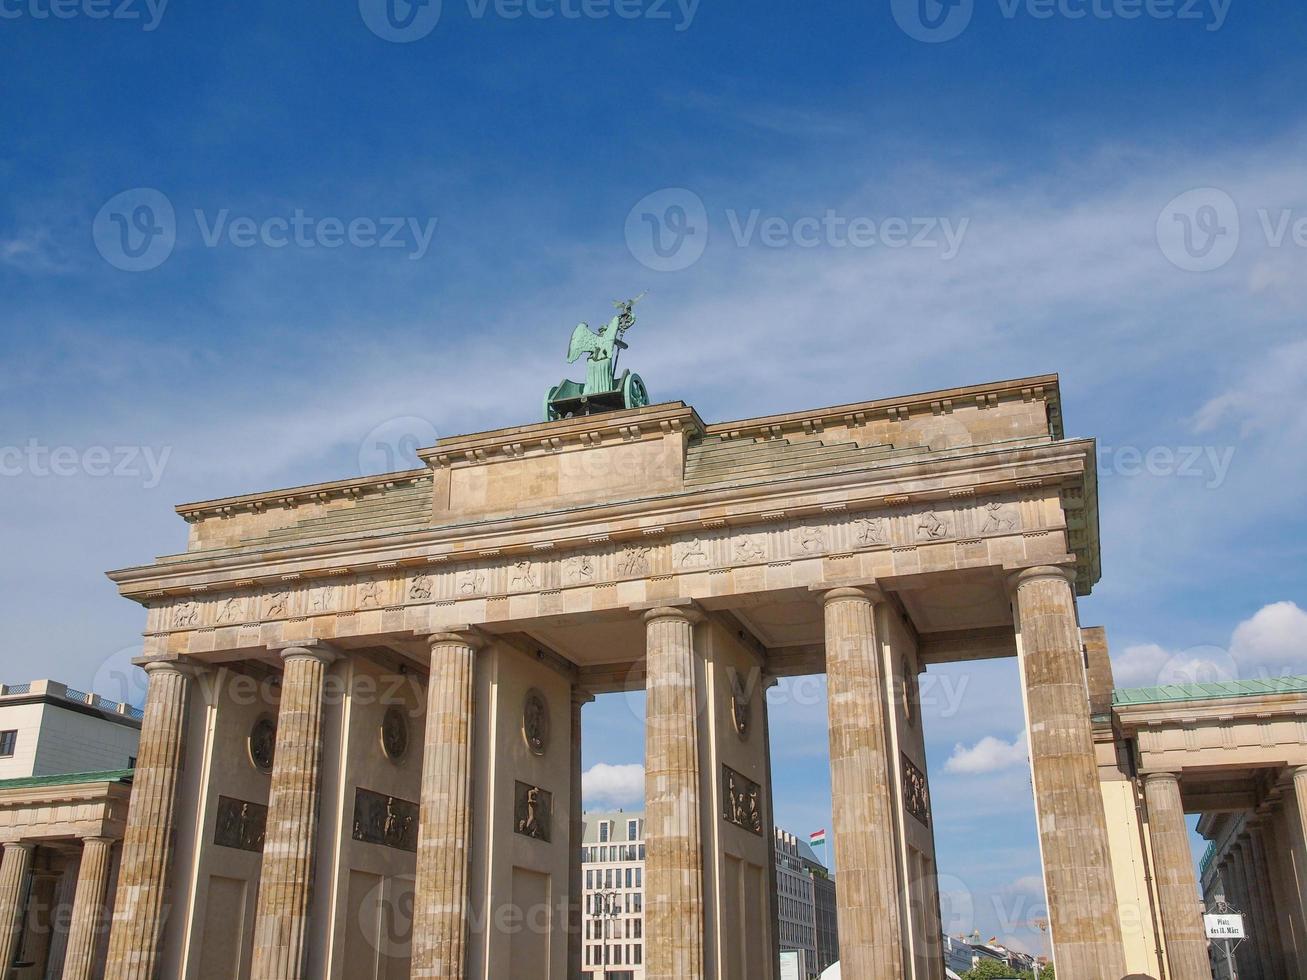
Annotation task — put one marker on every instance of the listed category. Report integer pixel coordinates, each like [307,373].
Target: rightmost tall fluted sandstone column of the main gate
[1085,930]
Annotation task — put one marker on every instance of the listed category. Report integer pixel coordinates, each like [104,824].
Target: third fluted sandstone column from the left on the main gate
[445,832]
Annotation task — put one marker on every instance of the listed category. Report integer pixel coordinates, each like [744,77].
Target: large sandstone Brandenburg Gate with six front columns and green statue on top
[361,748]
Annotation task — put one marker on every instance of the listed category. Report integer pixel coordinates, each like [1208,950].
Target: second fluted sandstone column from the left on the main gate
[287,876]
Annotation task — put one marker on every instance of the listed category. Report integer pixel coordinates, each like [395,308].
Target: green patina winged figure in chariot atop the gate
[603,390]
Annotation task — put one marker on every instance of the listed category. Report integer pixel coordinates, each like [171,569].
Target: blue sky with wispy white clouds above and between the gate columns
[1051,163]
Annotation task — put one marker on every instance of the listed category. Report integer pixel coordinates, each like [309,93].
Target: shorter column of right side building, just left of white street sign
[1177,884]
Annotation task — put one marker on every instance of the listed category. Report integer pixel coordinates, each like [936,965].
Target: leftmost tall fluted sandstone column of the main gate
[137,936]
